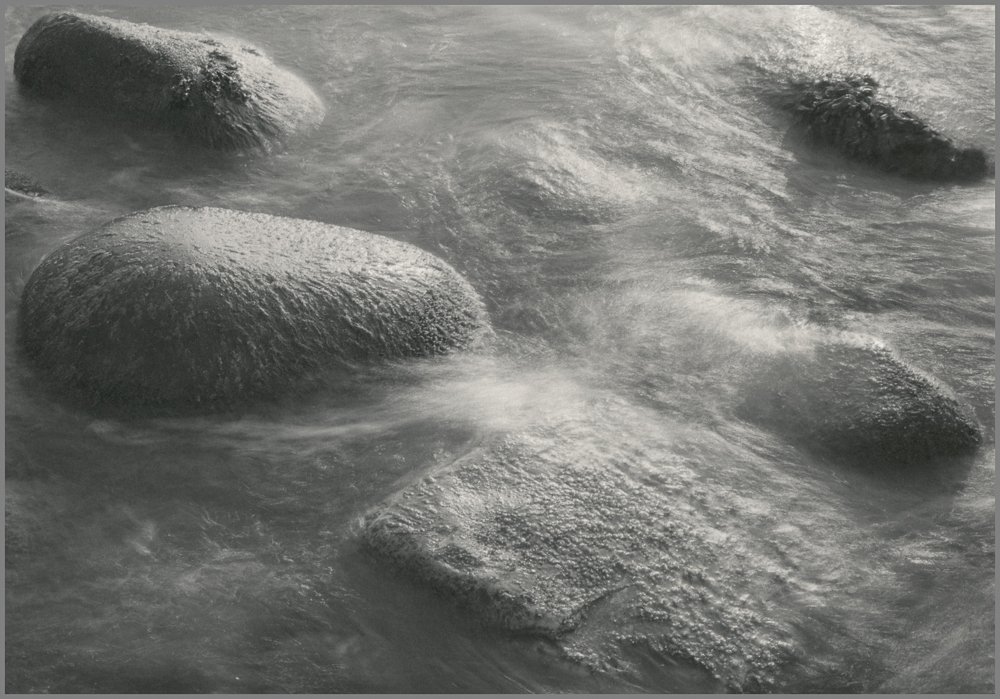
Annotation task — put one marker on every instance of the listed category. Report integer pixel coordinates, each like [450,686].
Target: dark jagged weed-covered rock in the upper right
[843,112]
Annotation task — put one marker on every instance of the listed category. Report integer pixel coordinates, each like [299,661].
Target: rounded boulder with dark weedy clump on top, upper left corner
[216,91]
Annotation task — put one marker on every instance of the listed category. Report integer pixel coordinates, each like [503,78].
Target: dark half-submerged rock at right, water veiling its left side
[859,402]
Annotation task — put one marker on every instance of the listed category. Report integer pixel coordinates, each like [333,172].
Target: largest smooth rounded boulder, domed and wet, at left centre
[179,308]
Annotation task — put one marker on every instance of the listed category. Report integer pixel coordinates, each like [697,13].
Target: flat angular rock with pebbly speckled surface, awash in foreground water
[588,533]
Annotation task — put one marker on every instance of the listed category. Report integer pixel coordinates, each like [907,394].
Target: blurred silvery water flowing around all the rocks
[642,231]
